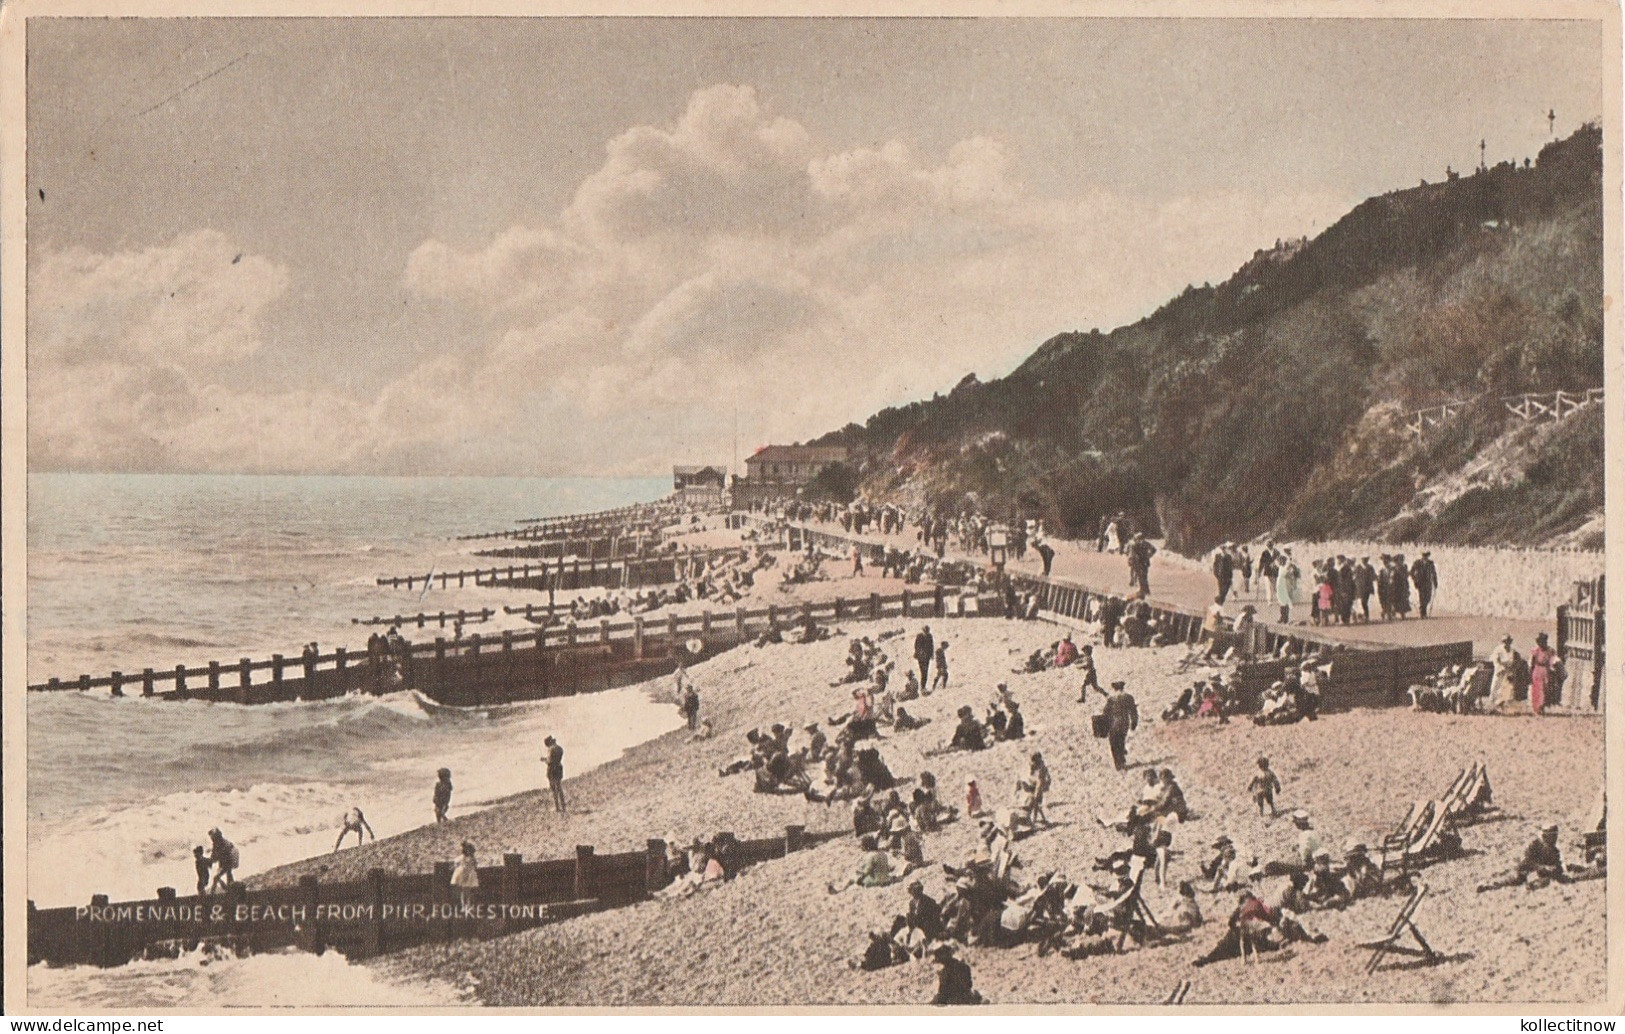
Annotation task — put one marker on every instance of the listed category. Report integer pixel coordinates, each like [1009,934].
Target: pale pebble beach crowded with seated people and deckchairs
[776,937]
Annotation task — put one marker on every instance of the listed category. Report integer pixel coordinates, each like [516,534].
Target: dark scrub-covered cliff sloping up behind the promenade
[1278,401]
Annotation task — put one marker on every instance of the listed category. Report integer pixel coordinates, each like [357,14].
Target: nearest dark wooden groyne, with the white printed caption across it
[373,916]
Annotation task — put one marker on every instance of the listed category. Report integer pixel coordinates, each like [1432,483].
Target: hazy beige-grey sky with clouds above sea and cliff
[604,246]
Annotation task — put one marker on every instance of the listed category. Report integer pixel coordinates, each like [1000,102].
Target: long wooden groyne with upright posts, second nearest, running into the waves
[518,666]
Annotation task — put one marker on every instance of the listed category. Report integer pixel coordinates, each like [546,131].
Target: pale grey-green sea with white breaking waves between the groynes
[136,571]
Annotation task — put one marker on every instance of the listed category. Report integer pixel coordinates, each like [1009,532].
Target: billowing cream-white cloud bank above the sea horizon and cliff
[726,259]
